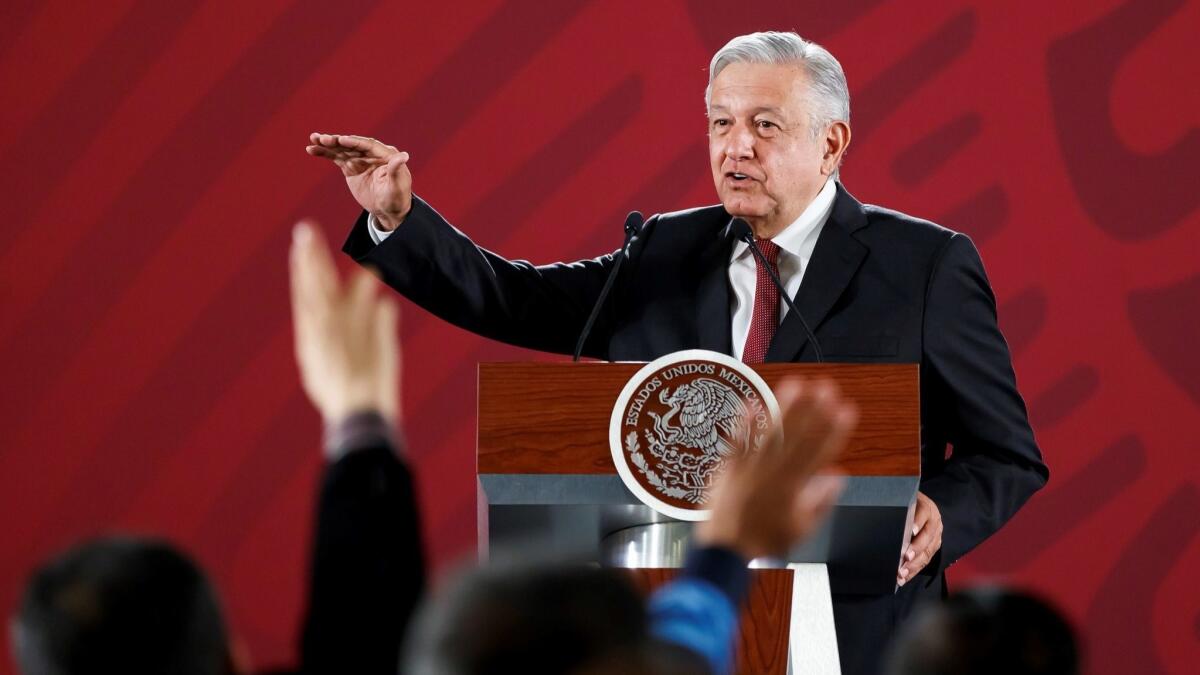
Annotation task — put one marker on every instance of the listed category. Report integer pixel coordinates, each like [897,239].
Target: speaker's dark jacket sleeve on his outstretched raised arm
[441,270]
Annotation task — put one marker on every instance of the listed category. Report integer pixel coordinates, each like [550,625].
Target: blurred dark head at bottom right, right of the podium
[986,632]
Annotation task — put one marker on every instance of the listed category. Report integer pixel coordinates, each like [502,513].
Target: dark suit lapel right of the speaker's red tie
[836,260]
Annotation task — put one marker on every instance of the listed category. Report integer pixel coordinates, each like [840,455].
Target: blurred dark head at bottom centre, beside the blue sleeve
[541,620]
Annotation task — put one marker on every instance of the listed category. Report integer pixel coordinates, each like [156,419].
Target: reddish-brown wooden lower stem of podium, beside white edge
[764,623]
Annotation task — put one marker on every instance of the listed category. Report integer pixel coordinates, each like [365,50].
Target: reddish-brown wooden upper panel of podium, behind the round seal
[554,417]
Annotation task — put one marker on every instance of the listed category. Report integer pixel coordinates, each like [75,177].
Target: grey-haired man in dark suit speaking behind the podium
[873,284]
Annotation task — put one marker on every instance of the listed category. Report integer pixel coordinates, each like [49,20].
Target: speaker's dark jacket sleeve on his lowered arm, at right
[995,465]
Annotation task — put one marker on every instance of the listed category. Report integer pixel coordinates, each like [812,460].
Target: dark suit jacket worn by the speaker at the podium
[881,286]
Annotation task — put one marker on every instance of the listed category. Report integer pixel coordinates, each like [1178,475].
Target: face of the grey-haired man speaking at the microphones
[766,164]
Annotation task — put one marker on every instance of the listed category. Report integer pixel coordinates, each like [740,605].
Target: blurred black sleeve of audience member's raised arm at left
[368,570]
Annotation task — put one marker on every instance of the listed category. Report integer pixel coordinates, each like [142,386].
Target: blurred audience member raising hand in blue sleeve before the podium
[554,619]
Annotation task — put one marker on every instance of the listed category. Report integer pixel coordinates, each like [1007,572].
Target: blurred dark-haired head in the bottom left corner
[121,605]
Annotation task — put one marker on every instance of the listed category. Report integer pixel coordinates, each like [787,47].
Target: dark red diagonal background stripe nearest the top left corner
[107,259]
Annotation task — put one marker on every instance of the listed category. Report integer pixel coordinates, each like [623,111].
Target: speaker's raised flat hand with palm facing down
[376,174]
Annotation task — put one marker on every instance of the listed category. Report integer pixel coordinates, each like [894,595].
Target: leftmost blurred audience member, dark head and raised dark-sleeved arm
[136,606]
